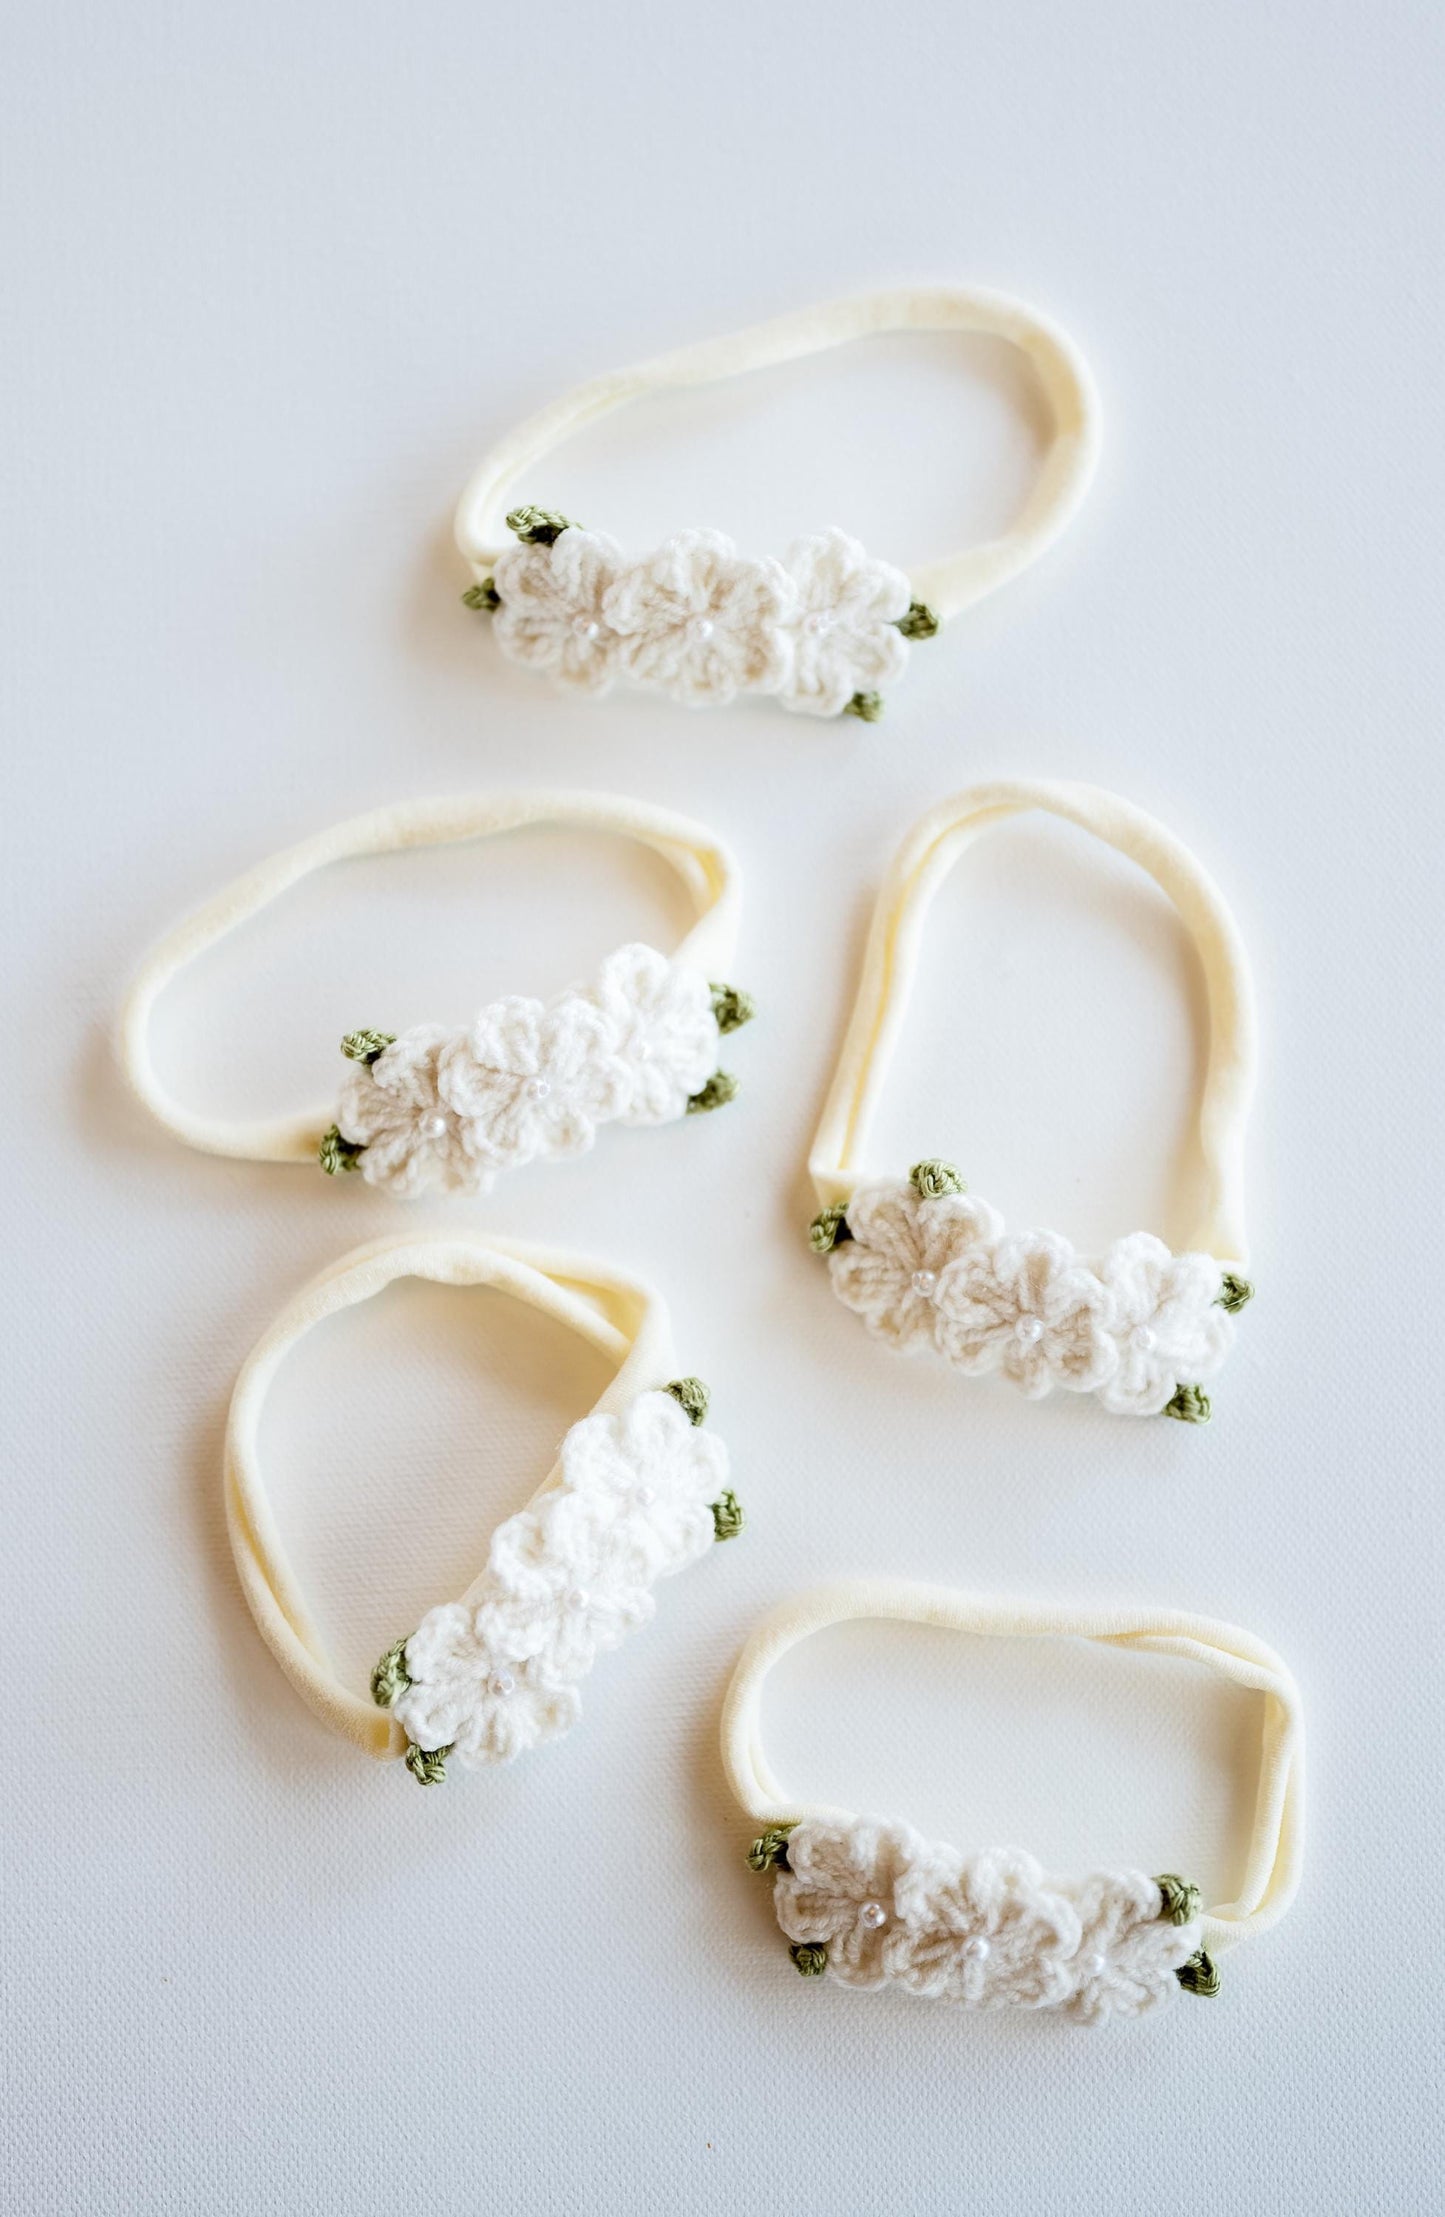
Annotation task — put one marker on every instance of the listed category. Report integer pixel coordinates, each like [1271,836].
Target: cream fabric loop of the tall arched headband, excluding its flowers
[892,954]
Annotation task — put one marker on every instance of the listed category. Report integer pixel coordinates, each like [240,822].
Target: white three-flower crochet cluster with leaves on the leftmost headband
[449,1110]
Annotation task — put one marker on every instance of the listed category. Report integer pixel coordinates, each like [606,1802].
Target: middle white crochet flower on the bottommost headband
[990,1934]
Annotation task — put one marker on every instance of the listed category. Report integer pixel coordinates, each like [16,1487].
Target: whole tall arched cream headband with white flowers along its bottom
[930,1267]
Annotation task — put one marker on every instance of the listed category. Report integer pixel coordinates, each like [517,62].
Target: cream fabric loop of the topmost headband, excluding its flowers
[950,584]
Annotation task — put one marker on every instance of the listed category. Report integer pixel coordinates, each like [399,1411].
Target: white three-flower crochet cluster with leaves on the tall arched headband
[930,1267]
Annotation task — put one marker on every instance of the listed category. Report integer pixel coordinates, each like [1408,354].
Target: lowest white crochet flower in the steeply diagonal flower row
[480,1688]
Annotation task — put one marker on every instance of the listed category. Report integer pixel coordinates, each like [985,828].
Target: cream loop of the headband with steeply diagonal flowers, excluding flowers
[615,1314]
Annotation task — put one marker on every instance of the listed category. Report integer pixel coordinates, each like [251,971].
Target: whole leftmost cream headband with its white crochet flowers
[435,1110]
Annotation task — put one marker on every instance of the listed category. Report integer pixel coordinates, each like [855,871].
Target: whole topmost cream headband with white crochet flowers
[699,622]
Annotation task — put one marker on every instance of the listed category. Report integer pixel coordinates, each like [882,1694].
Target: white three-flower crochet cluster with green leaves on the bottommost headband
[874,1903]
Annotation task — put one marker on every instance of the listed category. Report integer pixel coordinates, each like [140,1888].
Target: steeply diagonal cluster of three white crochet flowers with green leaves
[642,1495]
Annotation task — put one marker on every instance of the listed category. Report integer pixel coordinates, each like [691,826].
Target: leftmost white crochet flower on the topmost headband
[553,604]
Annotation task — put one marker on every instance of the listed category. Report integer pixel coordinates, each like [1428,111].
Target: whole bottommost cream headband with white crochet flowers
[874,1903]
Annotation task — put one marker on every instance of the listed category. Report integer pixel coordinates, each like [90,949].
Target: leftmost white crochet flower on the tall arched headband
[894,1265]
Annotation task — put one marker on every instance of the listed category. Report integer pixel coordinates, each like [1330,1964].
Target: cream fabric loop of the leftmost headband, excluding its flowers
[701,861]
